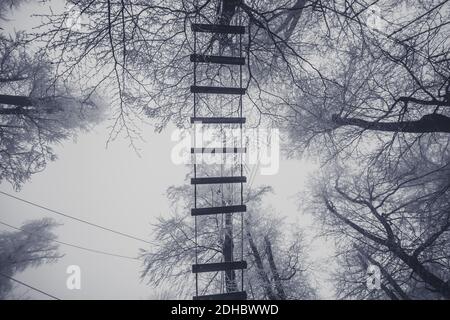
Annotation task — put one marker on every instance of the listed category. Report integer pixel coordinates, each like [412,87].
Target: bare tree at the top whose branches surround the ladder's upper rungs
[140,50]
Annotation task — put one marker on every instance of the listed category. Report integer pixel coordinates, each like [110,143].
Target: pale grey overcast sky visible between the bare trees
[116,188]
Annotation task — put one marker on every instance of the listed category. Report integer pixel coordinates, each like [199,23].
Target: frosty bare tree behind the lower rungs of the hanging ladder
[278,264]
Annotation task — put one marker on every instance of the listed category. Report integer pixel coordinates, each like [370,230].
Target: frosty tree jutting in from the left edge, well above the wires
[36,111]
